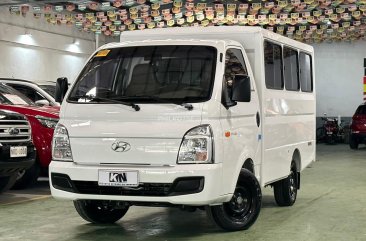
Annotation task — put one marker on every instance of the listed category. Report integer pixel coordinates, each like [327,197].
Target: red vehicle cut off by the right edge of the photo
[358,127]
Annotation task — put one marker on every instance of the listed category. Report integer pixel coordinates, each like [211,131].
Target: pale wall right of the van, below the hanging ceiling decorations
[339,77]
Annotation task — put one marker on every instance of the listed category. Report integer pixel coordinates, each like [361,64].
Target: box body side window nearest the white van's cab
[273,65]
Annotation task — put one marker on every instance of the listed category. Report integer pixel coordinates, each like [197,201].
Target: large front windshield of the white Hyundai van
[148,73]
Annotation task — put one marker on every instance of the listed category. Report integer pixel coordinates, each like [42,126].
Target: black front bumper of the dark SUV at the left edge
[8,165]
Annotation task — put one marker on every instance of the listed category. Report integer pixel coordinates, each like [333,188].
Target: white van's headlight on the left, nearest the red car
[61,149]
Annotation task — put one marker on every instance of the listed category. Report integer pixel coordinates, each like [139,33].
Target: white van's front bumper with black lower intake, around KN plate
[84,178]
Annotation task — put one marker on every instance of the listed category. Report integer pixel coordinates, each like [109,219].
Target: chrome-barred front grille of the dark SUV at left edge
[14,131]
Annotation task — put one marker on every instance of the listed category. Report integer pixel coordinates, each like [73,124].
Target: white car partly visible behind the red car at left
[42,93]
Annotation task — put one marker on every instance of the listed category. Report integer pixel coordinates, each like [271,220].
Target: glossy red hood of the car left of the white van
[28,110]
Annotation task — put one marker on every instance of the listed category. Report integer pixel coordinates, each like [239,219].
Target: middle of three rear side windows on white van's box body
[291,63]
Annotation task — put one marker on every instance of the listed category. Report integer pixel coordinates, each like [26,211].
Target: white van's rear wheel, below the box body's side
[285,190]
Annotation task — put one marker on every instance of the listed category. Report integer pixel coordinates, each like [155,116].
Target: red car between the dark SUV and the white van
[43,121]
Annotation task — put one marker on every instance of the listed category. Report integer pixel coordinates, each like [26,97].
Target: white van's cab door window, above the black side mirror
[234,64]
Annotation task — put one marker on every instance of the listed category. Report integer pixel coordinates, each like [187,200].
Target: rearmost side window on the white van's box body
[306,72]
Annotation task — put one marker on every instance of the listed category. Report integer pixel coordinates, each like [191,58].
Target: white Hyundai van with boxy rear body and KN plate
[189,117]
